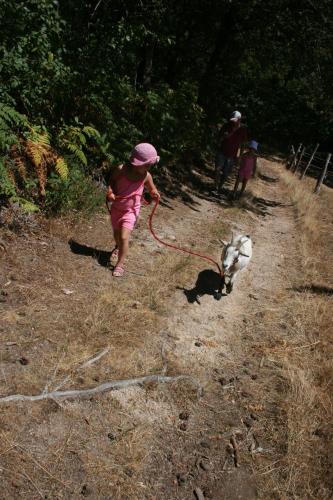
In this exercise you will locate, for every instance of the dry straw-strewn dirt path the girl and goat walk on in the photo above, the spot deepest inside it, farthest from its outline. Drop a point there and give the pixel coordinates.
(157, 441)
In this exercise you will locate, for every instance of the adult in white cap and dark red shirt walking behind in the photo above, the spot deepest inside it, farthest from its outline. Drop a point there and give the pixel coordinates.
(233, 135)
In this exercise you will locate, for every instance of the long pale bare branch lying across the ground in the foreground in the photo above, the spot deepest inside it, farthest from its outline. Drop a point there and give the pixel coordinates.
(107, 386)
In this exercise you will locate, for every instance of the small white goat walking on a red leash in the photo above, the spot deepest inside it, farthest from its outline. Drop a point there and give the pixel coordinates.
(235, 256)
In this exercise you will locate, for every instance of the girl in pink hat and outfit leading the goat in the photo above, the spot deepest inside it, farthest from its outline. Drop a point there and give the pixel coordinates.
(126, 187)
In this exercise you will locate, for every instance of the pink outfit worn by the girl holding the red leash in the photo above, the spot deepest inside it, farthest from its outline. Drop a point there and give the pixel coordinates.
(125, 209)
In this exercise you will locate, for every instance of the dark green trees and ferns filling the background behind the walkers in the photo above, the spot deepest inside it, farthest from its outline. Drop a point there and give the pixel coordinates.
(138, 71)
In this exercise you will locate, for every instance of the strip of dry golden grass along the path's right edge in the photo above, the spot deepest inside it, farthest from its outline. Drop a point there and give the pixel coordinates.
(306, 358)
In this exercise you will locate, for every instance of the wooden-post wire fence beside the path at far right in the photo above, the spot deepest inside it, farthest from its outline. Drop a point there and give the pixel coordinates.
(305, 160)
